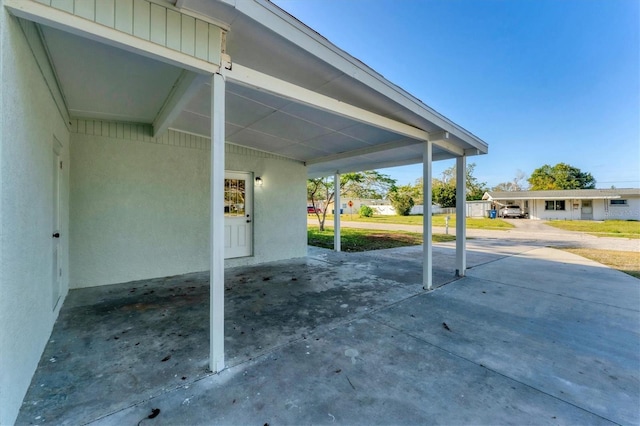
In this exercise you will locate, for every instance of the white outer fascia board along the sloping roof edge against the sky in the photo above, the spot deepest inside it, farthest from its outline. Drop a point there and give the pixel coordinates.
(304, 37)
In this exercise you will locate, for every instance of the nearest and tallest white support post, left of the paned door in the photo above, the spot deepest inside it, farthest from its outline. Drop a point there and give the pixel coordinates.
(216, 278)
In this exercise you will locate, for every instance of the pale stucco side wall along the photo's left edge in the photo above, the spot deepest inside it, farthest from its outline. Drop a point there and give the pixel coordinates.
(29, 122)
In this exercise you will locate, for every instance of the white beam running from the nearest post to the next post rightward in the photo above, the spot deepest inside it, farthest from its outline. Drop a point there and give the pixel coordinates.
(252, 78)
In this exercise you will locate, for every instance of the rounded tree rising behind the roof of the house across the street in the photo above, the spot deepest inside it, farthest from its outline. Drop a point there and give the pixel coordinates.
(560, 176)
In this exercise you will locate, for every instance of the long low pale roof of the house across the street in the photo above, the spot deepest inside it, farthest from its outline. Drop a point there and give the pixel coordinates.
(583, 194)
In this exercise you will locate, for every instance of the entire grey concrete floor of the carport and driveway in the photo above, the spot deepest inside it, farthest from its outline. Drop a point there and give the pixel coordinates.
(533, 336)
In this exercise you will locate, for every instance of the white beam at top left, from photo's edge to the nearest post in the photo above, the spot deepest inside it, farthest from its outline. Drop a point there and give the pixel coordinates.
(54, 18)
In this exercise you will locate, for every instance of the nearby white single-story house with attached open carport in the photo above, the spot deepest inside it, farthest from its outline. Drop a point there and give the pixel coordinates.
(146, 138)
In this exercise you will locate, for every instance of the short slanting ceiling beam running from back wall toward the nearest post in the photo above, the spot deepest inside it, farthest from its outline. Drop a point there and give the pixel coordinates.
(185, 88)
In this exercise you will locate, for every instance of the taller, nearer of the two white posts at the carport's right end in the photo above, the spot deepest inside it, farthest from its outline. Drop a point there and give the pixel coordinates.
(427, 233)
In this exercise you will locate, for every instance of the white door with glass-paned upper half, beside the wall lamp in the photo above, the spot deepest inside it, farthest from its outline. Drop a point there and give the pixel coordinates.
(238, 219)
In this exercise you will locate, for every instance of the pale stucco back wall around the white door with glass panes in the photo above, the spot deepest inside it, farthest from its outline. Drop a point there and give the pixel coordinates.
(140, 205)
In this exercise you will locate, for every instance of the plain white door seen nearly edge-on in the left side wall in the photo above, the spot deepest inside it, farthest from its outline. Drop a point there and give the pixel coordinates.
(56, 271)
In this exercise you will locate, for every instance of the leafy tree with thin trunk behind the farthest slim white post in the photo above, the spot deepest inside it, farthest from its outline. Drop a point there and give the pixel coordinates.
(369, 184)
